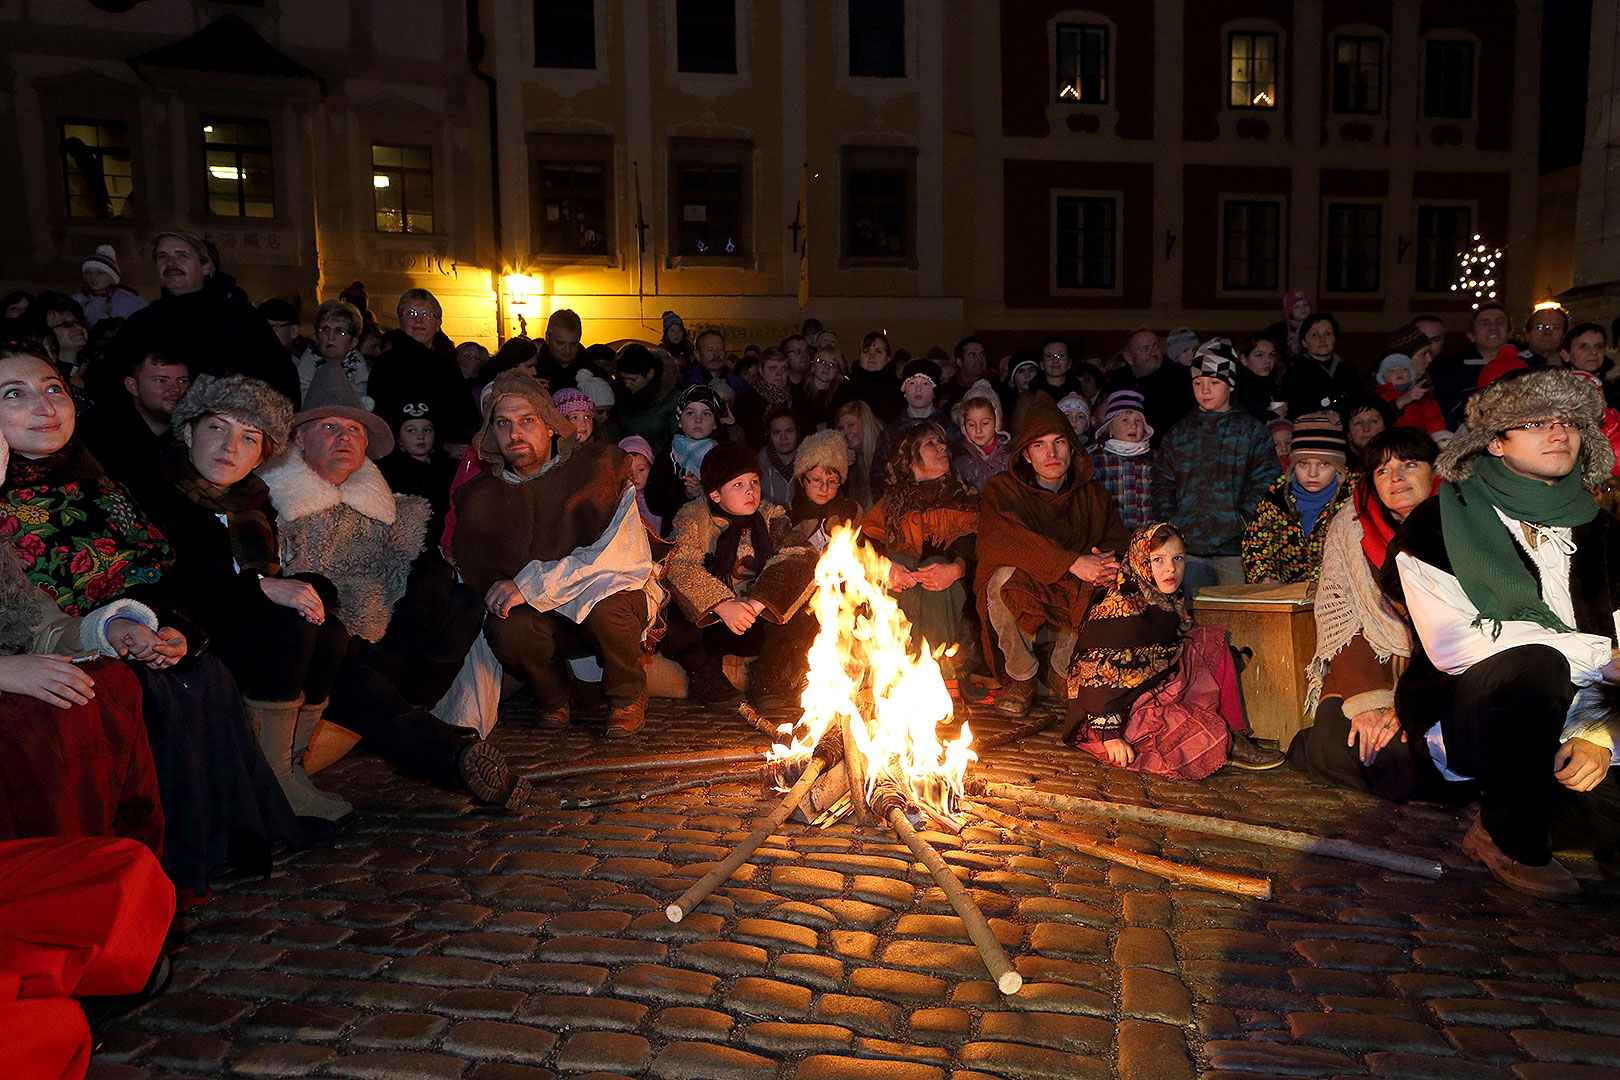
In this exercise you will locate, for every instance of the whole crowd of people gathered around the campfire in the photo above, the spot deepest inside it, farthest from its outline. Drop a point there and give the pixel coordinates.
(232, 553)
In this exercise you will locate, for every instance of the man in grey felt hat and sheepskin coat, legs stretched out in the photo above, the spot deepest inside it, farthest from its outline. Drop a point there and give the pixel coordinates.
(412, 621)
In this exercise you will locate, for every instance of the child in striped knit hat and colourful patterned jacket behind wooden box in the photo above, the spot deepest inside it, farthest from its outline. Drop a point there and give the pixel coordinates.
(1284, 542)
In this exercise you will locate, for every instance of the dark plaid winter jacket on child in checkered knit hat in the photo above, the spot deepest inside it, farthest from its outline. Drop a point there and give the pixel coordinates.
(1209, 475)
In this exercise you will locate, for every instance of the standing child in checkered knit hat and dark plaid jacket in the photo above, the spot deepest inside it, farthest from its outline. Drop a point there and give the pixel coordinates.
(1211, 472)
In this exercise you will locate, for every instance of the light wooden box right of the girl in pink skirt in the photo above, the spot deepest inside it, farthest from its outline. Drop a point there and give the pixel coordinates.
(1276, 626)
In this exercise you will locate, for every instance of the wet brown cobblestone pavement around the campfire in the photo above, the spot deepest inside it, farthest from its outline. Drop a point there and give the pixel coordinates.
(432, 940)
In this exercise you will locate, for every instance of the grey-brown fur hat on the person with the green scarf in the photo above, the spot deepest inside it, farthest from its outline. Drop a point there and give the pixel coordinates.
(1520, 398)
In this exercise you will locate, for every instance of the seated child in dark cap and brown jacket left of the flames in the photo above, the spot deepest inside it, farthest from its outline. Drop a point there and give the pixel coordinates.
(741, 577)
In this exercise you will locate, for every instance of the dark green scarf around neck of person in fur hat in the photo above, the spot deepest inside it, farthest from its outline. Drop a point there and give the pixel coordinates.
(1485, 556)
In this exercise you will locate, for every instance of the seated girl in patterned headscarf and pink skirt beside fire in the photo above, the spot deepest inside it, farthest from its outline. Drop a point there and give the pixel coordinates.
(1148, 689)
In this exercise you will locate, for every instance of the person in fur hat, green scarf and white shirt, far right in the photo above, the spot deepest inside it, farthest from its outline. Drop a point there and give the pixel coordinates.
(1512, 579)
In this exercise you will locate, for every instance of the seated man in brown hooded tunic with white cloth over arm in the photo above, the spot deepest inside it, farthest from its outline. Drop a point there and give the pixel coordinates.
(552, 538)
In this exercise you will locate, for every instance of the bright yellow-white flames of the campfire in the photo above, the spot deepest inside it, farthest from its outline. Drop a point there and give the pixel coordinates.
(864, 668)
